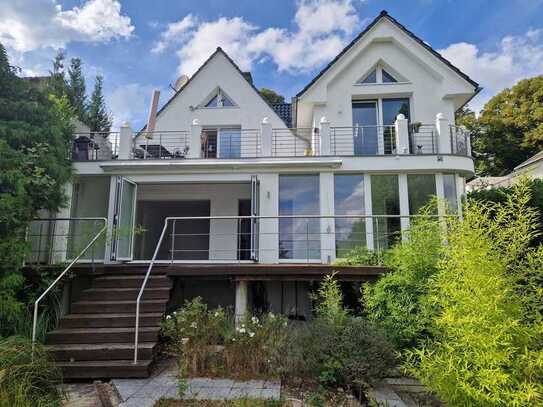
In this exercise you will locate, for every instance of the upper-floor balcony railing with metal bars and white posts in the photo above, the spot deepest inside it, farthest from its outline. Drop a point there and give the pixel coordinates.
(402, 138)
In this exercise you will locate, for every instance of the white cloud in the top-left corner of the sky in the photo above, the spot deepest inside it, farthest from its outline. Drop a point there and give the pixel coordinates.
(28, 25)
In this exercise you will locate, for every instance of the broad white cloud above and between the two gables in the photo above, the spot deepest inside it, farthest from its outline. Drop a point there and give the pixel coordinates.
(321, 29)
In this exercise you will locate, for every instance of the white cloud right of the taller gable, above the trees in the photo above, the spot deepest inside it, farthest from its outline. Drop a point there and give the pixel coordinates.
(515, 58)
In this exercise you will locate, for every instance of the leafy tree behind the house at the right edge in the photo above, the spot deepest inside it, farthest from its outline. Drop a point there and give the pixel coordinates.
(509, 129)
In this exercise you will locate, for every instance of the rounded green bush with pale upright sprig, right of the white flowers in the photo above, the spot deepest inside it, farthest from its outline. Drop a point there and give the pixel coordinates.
(337, 348)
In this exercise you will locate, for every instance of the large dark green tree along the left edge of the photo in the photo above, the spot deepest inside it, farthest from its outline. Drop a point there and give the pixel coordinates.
(35, 136)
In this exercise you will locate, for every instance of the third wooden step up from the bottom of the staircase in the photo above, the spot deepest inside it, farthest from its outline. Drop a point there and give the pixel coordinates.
(101, 335)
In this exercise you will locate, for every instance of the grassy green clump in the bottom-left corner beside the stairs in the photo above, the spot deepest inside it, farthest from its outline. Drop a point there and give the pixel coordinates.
(27, 381)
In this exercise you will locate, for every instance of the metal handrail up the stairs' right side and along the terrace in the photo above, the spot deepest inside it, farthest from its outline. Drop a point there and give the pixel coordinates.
(248, 217)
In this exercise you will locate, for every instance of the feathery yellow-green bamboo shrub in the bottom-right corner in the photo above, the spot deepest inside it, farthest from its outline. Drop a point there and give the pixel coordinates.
(487, 348)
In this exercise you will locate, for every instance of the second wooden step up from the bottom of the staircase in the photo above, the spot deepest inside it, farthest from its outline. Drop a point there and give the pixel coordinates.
(99, 352)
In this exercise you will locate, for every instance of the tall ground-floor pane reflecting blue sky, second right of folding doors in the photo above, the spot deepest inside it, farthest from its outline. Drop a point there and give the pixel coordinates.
(349, 200)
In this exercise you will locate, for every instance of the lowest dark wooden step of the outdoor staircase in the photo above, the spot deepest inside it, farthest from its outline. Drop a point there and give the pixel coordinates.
(105, 369)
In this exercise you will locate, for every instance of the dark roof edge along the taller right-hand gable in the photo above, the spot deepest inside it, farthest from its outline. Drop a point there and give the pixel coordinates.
(382, 15)
